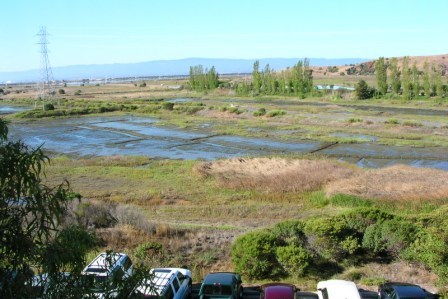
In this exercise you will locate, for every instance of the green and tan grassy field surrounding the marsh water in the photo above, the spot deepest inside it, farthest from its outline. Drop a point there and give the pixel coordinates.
(196, 209)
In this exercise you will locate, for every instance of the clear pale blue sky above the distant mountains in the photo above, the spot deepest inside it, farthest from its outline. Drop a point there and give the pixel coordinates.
(99, 31)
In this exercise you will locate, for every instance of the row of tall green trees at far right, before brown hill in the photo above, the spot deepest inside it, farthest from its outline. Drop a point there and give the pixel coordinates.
(409, 81)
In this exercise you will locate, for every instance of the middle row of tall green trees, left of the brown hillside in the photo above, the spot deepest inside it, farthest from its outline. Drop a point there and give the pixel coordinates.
(297, 80)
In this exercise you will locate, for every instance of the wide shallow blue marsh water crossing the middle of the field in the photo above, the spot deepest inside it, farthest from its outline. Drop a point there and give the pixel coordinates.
(130, 135)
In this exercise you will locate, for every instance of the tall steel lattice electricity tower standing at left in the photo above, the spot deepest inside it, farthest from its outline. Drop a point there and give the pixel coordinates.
(45, 87)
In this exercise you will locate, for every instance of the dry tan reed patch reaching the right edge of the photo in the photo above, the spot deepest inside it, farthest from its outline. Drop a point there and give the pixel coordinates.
(397, 182)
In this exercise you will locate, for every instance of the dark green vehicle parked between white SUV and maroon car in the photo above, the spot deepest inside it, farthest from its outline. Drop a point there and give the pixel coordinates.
(221, 285)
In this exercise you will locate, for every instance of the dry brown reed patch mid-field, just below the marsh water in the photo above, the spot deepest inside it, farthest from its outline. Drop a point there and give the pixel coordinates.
(275, 174)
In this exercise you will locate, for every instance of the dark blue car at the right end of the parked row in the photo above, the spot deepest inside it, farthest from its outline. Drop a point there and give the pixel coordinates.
(400, 290)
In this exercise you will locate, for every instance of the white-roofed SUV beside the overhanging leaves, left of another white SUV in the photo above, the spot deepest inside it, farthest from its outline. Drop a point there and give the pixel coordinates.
(108, 273)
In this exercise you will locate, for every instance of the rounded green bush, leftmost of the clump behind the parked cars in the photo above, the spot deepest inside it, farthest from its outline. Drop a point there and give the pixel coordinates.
(254, 255)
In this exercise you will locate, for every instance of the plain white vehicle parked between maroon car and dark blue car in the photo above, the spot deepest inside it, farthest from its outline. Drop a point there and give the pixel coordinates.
(337, 289)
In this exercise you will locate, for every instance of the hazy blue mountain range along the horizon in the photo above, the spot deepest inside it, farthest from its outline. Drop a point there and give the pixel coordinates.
(167, 68)
